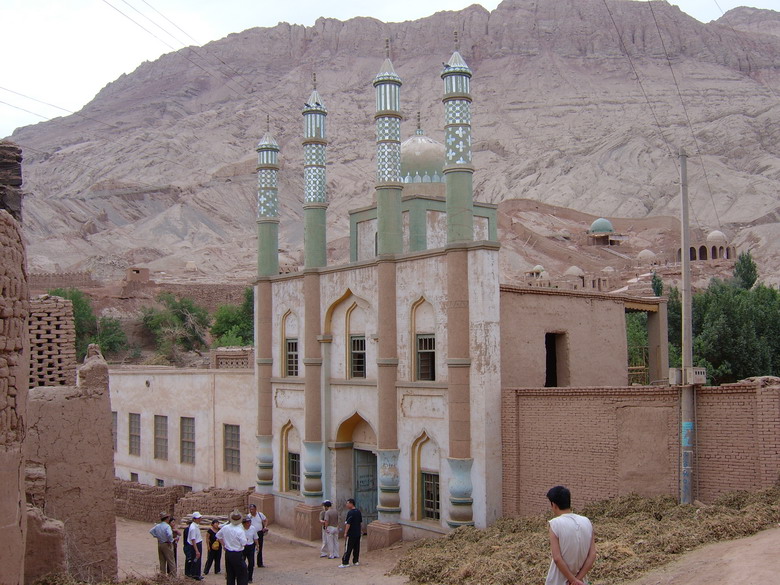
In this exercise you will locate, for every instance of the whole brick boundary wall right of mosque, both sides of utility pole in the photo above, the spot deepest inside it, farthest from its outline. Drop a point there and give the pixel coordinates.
(606, 442)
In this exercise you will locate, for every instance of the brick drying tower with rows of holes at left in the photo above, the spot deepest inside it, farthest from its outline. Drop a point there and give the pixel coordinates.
(52, 334)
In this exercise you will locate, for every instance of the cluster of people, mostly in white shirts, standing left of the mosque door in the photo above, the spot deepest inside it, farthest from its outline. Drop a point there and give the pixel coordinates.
(241, 538)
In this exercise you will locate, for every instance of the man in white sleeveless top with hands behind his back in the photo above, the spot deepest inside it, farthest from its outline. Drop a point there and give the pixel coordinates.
(572, 543)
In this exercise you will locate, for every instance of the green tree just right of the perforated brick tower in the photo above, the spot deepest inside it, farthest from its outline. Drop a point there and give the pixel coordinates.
(106, 332)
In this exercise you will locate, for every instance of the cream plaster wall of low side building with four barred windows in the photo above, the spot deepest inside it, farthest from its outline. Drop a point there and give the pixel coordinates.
(211, 397)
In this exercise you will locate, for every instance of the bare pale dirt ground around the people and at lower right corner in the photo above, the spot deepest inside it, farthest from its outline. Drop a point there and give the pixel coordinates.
(290, 561)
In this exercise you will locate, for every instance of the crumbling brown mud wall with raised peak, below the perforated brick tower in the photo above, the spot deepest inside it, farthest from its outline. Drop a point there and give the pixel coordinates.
(69, 452)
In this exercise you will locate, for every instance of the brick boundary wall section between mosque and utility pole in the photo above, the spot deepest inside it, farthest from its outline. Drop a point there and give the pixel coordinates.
(600, 442)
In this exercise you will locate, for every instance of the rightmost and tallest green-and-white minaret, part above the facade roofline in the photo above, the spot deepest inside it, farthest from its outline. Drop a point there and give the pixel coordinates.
(458, 169)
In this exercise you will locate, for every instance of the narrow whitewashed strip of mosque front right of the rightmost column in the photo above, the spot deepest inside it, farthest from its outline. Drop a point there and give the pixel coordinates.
(485, 348)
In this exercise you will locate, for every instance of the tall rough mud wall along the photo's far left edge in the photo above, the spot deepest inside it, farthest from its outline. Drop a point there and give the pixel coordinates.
(13, 391)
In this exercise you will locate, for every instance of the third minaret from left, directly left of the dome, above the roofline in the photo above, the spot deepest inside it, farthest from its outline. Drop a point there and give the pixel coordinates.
(388, 158)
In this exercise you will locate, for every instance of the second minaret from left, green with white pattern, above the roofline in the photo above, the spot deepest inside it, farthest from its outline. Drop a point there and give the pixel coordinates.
(315, 202)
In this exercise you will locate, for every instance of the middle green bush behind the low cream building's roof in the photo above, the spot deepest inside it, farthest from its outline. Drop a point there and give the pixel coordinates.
(179, 325)
